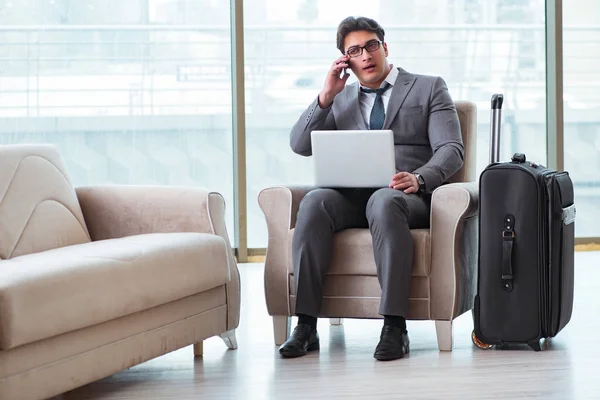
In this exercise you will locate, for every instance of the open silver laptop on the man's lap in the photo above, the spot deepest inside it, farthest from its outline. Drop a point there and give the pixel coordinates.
(353, 158)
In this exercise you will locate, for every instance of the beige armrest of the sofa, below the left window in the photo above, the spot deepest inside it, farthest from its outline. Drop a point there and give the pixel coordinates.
(116, 211)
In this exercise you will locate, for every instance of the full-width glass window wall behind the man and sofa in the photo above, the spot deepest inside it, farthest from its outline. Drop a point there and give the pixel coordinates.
(139, 91)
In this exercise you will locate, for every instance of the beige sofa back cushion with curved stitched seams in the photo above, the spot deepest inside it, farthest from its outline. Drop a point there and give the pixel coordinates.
(38, 206)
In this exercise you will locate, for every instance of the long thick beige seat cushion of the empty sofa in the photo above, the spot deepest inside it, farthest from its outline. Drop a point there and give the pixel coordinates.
(62, 290)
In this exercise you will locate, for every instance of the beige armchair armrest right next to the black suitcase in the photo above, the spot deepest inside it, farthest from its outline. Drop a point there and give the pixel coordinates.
(454, 246)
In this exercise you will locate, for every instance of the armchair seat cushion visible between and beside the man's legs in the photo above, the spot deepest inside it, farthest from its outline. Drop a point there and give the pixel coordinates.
(353, 253)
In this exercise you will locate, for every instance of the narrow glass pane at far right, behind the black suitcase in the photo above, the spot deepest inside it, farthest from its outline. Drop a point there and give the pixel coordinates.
(581, 45)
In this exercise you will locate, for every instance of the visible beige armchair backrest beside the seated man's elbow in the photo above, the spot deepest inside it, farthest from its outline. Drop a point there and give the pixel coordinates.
(467, 116)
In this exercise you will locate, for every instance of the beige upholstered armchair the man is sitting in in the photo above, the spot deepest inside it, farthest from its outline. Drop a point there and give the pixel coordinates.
(444, 269)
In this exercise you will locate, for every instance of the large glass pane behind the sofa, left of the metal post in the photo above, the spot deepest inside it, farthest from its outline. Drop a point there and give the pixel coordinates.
(125, 102)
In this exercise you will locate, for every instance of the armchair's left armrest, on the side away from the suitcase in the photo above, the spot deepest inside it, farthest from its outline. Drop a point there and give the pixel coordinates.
(280, 206)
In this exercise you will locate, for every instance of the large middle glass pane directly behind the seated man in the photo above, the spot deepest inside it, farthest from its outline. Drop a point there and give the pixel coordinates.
(480, 47)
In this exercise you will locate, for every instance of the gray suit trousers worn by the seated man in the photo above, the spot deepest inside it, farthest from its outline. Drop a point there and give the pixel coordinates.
(389, 214)
